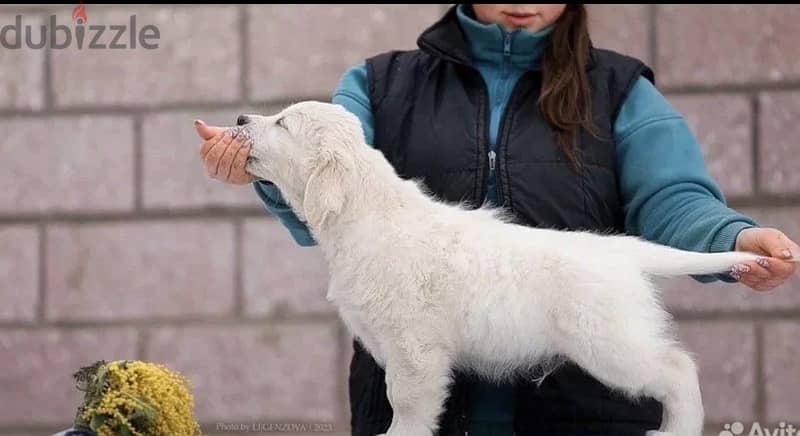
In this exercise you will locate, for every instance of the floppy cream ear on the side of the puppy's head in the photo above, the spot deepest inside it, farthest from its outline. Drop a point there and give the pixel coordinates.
(325, 189)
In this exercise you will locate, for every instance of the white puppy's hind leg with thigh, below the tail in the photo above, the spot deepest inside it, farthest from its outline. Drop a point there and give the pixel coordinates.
(629, 352)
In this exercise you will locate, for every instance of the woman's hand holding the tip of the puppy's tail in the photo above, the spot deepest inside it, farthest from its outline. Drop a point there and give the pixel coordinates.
(771, 272)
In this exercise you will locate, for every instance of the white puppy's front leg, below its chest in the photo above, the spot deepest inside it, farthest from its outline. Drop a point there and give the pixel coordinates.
(417, 378)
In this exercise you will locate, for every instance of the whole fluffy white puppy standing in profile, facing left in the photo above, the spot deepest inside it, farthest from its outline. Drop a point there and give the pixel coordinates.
(428, 287)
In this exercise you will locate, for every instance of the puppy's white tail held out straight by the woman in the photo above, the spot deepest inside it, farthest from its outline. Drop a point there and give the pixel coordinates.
(661, 260)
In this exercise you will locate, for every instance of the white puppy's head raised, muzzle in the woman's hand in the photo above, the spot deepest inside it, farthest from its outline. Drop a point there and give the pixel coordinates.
(307, 150)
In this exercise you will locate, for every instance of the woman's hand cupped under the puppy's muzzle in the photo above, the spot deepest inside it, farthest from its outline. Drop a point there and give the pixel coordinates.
(224, 155)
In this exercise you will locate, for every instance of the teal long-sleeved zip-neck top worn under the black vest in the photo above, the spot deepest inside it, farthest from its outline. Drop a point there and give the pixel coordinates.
(668, 195)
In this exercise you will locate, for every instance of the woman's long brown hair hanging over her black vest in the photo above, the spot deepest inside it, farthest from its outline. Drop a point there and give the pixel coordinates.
(565, 100)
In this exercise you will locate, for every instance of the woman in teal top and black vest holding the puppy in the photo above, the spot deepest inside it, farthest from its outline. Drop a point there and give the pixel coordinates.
(512, 104)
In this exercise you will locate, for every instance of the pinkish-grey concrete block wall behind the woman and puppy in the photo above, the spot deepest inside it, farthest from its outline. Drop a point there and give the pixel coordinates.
(113, 244)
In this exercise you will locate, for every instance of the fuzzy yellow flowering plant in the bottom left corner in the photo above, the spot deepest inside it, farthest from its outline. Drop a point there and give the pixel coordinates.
(134, 398)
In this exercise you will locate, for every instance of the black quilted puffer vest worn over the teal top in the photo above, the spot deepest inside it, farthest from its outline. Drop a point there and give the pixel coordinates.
(430, 109)
